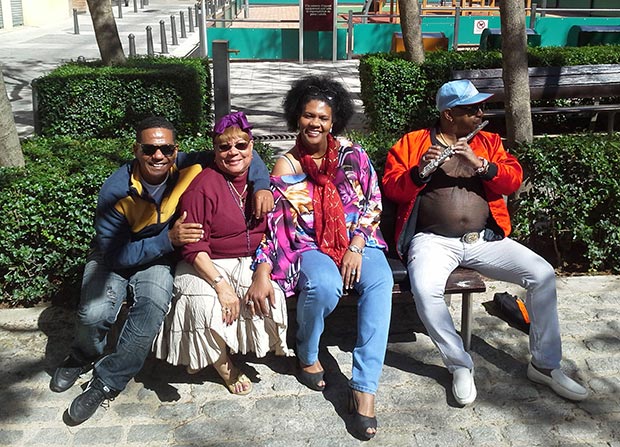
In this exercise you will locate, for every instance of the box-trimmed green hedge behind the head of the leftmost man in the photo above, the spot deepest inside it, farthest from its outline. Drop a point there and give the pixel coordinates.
(88, 100)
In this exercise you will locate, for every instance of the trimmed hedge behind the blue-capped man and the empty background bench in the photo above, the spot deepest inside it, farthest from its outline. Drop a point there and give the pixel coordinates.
(399, 95)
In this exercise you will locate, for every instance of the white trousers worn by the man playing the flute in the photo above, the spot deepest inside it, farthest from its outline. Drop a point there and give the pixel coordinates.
(432, 258)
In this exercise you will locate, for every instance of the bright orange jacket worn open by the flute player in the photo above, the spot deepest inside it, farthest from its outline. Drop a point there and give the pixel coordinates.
(400, 188)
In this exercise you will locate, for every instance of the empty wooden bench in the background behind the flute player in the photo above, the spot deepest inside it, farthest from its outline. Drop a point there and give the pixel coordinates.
(550, 83)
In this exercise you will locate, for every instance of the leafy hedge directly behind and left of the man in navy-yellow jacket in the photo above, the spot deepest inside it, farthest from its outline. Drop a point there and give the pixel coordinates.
(47, 211)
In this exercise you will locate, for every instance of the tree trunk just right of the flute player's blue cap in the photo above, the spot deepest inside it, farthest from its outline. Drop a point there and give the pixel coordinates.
(516, 79)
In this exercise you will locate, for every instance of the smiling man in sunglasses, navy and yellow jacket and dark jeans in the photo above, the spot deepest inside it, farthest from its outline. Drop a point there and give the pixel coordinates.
(136, 236)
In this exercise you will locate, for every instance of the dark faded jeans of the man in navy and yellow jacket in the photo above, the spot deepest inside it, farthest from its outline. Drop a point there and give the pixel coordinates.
(103, 294)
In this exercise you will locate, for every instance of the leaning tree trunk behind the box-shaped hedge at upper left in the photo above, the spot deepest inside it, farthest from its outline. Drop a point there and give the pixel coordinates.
(106, 32)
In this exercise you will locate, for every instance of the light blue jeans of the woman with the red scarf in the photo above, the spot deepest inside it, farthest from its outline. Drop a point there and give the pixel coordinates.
(320, 288)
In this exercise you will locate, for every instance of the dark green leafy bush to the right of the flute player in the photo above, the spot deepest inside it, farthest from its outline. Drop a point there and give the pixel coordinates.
(569, 209)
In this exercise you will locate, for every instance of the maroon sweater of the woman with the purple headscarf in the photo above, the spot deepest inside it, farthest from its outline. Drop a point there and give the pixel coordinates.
(229, 232)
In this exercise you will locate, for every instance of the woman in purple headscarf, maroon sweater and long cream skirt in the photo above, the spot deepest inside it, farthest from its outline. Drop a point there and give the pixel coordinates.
(217, 307)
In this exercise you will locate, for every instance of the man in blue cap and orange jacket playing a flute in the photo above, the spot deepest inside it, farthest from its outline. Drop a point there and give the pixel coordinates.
(452, 213)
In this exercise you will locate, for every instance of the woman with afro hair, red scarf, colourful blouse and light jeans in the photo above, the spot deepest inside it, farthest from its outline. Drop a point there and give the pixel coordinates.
(323, 237)
